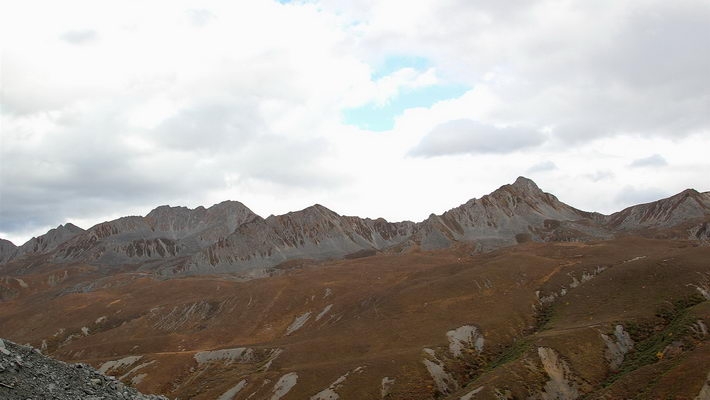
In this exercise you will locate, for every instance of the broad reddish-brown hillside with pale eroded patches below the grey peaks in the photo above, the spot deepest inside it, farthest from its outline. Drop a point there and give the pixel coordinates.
(531, 321)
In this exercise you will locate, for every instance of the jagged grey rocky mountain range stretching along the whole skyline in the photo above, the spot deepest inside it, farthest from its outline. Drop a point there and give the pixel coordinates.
(229, 237)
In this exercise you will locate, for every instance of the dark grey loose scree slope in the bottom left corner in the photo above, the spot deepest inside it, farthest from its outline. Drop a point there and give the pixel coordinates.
(27, 374)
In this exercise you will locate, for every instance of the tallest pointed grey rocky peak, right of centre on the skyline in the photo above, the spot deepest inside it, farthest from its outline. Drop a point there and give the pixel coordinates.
(511, 214)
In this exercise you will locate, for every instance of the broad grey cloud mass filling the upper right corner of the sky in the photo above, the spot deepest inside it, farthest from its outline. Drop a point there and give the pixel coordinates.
(638, 68)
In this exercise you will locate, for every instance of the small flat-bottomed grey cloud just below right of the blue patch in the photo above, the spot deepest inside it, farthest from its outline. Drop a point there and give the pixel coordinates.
(468, 136)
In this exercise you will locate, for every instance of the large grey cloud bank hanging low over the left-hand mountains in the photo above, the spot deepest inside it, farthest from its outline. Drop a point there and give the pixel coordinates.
(88, 167)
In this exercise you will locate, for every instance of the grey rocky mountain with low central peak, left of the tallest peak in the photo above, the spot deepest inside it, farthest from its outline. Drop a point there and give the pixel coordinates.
(314, 233)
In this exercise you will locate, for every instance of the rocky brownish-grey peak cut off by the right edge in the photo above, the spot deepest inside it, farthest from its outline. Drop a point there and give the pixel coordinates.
(686, 205)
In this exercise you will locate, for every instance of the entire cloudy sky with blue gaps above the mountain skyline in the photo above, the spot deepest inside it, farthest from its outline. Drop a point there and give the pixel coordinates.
(370, 107)
